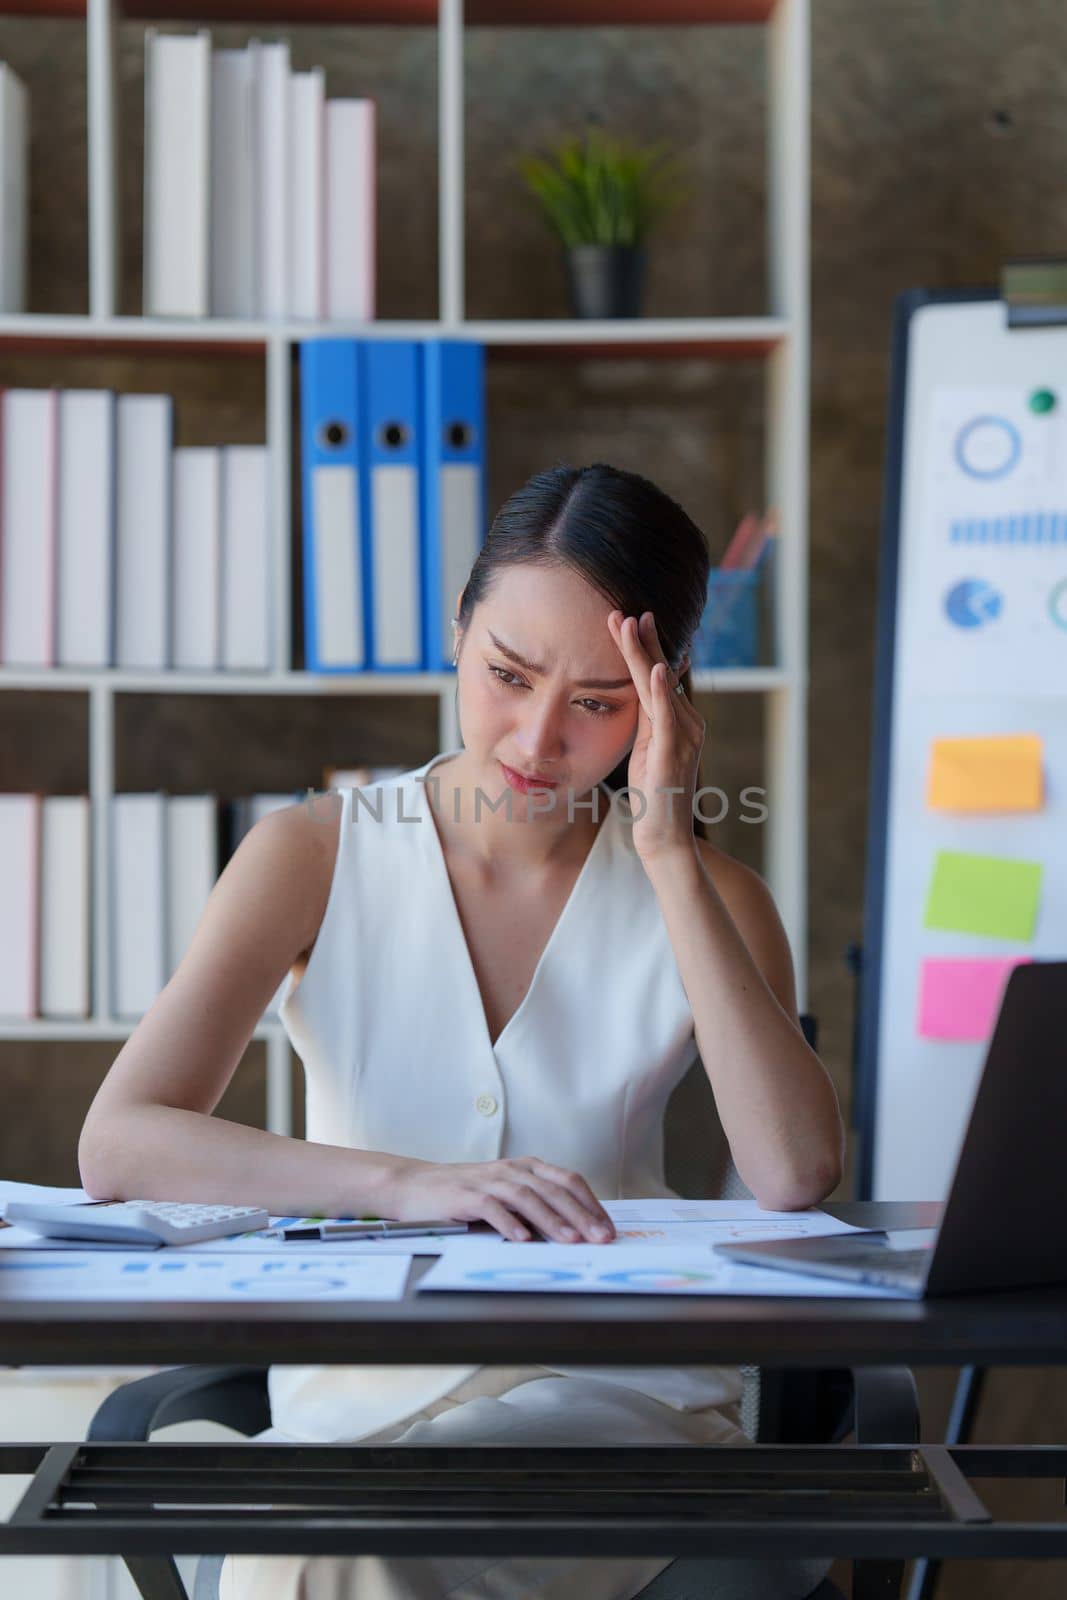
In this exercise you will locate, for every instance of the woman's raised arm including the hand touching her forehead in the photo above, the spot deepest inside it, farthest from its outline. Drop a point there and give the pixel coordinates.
(775, 1098)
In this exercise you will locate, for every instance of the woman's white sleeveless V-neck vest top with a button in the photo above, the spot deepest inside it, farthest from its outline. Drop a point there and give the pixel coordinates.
(390, 1023)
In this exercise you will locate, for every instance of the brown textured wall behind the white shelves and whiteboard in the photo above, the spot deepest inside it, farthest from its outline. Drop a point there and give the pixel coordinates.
(938, 138)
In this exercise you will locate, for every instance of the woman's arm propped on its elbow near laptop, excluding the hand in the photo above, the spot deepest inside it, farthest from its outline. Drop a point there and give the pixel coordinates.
(775, 1098)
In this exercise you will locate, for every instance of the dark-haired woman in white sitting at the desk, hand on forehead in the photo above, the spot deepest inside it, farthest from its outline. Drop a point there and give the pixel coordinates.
(498, 975)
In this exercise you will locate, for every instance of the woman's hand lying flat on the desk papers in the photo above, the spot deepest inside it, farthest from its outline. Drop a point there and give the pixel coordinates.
(521, 1198)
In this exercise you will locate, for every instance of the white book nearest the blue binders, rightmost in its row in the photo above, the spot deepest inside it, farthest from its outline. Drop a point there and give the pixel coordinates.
(246, 644)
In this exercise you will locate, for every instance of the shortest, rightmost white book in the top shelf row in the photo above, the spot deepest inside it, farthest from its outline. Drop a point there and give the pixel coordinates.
(351, 209)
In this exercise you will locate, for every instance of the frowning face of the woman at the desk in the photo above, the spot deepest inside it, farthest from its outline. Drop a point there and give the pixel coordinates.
(569, 710)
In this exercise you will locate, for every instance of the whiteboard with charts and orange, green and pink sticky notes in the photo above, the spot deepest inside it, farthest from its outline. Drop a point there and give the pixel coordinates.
(972, 646)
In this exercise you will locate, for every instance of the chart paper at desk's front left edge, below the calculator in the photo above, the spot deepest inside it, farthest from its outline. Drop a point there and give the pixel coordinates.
(180, 1276)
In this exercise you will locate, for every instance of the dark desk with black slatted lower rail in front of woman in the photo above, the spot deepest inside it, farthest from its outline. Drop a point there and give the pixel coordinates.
(887, 1500)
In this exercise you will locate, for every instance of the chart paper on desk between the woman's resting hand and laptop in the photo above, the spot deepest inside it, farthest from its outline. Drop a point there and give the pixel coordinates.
(621, 1270)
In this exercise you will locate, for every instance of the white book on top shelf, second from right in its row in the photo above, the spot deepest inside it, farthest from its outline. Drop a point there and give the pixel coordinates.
(308, 116)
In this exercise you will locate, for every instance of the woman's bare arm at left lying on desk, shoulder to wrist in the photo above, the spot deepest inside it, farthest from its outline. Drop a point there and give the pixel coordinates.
(150, 1132)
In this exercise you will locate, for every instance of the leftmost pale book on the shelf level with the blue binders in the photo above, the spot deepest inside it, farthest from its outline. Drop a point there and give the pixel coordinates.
(28, 556)
